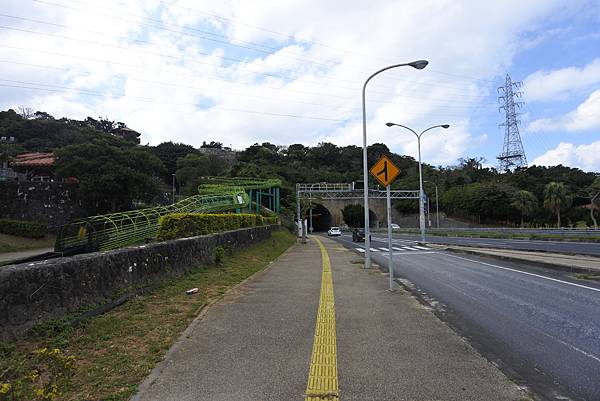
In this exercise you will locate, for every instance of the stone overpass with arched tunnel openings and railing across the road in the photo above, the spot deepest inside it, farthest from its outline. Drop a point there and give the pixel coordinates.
(331, 198)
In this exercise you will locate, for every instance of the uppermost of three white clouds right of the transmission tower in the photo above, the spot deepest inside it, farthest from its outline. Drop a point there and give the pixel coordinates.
(547, 85)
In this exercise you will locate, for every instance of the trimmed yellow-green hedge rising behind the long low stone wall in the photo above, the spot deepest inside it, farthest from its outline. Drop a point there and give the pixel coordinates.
(183, 225)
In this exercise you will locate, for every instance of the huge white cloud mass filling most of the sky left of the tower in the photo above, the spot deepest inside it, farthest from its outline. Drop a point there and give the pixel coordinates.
(190, 87)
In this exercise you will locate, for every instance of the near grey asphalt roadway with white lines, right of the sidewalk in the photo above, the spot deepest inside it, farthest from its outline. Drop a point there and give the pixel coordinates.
(541, 326)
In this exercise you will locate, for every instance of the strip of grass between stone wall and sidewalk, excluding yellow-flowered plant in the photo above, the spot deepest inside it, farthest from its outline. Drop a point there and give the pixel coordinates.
(116, 351)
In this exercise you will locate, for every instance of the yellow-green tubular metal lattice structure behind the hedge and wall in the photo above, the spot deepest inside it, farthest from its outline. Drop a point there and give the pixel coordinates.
(116, 230)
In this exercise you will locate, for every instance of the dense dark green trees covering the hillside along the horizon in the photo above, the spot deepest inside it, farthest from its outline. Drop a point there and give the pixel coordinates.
(116, 173)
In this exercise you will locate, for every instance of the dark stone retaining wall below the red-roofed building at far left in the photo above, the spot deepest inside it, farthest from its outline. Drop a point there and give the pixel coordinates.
(50, 203)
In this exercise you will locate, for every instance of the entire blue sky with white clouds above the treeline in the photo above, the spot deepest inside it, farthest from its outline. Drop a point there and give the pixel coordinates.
(292, 71)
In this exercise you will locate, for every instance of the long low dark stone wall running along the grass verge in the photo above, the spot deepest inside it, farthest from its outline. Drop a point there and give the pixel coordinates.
(31, 293)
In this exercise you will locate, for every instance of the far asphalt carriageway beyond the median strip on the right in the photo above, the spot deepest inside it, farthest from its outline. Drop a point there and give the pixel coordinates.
(572, 247)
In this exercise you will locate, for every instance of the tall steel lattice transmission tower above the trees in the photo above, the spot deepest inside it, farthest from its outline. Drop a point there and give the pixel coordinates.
(512, 155)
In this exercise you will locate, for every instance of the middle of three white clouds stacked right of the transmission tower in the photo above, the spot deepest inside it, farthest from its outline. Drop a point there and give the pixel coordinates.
(585, 117)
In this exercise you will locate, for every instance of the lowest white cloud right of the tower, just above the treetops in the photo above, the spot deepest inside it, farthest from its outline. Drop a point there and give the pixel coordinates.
(586, 157)
